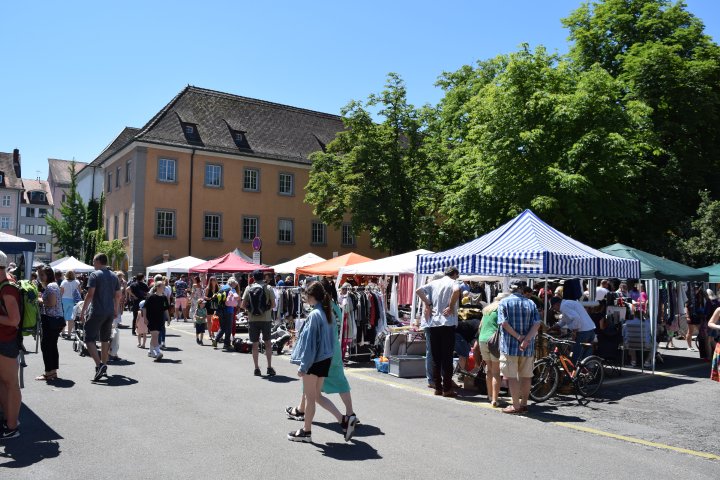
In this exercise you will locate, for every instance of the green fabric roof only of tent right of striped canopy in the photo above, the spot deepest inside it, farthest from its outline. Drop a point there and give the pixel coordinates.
(657, 268)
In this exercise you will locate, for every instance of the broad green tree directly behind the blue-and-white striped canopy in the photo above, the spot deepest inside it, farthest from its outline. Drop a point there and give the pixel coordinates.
(527, 130)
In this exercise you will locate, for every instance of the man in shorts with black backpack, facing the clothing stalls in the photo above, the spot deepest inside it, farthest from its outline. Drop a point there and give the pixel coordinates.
(259, 300)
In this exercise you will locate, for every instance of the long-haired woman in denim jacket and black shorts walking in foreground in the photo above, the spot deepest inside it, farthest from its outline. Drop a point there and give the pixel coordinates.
(313, 352)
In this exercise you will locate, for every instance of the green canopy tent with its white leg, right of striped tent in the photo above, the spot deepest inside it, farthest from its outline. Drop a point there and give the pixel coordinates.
(653, 269)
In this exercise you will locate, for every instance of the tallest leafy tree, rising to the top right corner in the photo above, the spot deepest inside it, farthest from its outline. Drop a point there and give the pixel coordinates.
(659, 53)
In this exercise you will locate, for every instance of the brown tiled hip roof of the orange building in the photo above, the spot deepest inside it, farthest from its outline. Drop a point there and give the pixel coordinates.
(272, 130)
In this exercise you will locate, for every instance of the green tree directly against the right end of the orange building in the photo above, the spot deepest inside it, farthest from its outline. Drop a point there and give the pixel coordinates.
(374, 171)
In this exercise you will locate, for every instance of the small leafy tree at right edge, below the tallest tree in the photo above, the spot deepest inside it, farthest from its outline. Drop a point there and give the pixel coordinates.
(702, 247)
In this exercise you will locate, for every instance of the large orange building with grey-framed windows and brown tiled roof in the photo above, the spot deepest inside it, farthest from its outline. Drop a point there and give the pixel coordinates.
(209, 173)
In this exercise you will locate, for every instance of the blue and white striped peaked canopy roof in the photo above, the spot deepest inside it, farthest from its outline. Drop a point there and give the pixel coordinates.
(528, 246)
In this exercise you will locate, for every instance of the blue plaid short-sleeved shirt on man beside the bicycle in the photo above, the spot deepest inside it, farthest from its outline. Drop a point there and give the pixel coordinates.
(521, 314)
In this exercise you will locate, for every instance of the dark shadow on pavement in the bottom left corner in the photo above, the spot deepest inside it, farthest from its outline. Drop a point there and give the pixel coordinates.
(37, 442)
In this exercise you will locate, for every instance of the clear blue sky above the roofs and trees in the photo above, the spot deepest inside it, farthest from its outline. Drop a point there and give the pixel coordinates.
(75, 73)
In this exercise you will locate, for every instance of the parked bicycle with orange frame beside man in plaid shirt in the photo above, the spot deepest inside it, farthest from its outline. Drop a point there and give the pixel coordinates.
(586, 378)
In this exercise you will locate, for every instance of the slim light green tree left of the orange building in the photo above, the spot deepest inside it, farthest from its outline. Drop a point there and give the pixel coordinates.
(67, 231)
